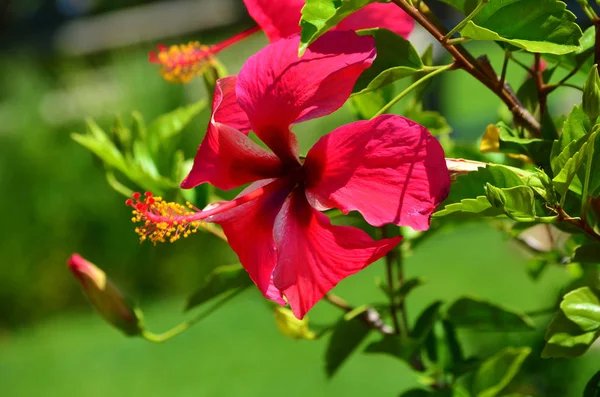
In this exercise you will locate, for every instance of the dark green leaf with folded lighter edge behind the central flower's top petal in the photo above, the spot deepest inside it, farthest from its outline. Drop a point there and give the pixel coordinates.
(396, 59)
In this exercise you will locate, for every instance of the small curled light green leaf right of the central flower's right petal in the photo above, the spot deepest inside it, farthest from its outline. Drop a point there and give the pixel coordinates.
(517, 202)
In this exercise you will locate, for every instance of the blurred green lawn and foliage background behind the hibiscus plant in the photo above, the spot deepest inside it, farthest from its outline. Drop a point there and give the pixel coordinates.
(62, 61)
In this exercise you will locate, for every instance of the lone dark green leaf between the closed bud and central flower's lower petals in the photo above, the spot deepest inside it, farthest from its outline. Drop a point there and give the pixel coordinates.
(223, 280)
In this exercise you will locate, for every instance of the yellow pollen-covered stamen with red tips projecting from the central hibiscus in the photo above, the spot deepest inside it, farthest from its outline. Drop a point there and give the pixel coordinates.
(161, 221)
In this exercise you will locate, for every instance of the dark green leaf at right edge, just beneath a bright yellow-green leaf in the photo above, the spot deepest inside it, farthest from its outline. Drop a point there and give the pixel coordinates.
(565, 339)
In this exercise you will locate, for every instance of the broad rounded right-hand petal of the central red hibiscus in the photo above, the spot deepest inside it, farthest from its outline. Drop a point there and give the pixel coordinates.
(390, 169)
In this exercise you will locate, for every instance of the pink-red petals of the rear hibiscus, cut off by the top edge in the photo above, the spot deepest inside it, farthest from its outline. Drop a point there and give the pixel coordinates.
(281, 19)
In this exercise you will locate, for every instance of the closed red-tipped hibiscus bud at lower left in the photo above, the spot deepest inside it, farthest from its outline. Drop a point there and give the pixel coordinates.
(105, 297)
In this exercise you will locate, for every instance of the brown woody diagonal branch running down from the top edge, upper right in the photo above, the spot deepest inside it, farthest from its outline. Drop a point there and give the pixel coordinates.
(465, 61)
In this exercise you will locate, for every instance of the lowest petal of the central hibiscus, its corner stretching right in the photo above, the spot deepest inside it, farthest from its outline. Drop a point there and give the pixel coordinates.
(315, 255)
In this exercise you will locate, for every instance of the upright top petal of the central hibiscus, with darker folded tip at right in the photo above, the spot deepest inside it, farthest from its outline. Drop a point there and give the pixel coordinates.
(276, 88)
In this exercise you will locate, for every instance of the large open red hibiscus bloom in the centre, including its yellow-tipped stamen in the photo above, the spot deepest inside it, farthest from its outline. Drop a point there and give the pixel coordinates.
(390, 169)
